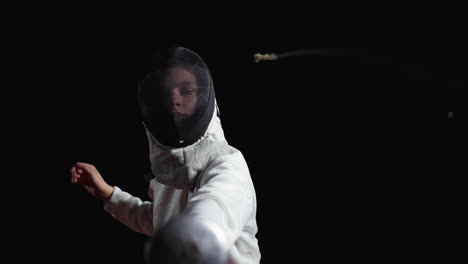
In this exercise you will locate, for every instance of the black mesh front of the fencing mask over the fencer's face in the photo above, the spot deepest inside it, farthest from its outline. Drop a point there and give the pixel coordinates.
(177, 99)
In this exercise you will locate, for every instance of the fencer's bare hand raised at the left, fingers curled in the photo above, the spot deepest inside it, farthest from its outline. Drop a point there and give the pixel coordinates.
(89, 177)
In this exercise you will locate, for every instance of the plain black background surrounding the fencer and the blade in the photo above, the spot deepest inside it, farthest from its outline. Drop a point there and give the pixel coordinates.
(350, 160)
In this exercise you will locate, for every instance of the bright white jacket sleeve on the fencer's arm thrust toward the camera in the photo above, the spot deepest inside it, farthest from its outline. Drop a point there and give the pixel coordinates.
(226, 197)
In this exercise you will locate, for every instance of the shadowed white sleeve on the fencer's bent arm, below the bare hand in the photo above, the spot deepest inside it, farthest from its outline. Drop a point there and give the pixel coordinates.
(131, 211)
